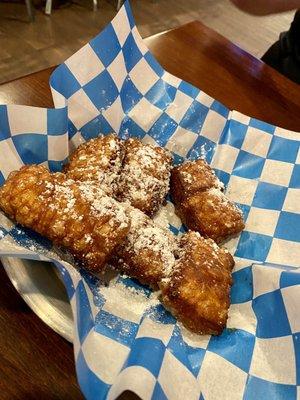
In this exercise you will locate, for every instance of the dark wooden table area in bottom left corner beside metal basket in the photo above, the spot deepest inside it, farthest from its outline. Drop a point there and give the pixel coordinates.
(35, 362)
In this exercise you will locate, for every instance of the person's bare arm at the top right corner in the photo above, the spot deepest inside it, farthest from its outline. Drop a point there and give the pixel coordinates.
(265, 7)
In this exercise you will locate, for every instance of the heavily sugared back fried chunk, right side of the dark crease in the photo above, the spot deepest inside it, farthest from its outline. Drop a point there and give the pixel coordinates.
(145, 176)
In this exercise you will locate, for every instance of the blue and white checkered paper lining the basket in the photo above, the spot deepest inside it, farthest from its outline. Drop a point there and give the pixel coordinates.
(114, 84)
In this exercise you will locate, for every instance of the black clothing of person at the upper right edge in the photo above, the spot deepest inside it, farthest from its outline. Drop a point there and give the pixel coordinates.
(284, 55)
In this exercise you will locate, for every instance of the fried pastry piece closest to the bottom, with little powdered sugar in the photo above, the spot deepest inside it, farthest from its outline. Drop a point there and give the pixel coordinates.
(197, 292)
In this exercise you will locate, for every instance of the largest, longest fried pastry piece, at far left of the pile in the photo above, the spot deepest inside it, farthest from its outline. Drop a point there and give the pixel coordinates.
(86, 223)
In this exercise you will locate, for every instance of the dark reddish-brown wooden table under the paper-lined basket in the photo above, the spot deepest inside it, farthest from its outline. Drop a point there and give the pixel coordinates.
(35, 362)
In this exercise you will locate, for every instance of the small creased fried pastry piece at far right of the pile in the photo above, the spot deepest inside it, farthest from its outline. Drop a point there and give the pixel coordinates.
(201, 204)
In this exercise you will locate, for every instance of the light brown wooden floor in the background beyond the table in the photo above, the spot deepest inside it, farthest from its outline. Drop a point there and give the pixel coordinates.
(31, 40)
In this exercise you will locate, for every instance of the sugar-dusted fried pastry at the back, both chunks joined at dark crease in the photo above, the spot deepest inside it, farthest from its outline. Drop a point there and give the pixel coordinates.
(128, 170)
